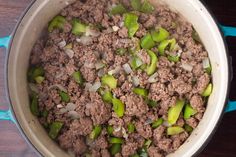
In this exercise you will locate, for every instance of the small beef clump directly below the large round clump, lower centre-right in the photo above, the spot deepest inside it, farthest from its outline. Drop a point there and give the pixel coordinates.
(143, 130)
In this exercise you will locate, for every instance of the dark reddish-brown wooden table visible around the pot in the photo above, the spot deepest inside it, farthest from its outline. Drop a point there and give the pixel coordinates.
(223, 143)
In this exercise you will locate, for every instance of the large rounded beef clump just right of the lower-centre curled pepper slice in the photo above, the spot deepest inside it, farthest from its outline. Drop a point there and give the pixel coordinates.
(135, 105)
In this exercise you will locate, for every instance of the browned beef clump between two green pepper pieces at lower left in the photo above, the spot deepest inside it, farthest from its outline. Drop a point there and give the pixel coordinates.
(83, 126)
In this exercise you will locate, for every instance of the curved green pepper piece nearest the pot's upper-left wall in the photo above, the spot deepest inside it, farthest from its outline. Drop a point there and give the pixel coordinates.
(57, 22)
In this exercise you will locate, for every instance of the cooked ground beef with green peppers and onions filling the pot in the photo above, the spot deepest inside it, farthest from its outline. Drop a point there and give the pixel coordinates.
(119, 78)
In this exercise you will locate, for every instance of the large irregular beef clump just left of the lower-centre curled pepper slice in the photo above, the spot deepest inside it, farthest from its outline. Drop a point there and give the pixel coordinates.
(99, 112)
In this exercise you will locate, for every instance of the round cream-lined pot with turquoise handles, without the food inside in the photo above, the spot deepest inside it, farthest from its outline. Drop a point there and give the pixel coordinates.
(35, 20)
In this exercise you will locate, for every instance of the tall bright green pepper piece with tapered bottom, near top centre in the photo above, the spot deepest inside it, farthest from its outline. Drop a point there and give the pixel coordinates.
(131, 23)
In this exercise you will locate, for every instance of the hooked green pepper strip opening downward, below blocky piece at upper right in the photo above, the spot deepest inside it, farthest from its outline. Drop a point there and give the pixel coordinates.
(165, 44)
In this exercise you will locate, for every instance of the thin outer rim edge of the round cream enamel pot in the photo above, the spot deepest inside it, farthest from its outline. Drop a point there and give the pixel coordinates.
(197, 152)
